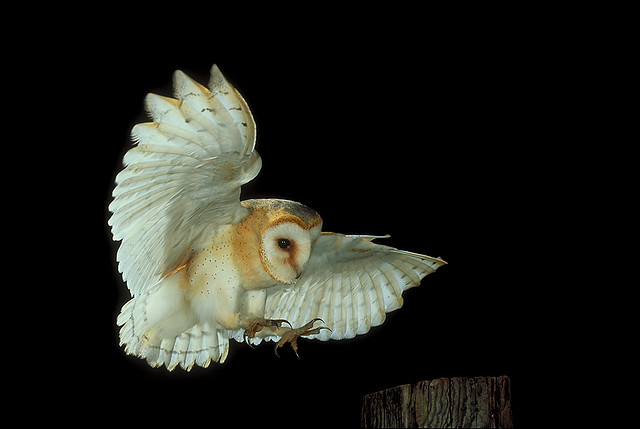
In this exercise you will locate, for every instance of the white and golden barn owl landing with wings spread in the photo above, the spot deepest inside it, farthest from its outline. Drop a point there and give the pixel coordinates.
(204, 267)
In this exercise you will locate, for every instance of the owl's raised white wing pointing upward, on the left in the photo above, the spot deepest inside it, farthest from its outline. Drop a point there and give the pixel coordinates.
(183, 177)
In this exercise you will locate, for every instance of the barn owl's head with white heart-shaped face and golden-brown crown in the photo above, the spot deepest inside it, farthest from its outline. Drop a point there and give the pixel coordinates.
(287, 234)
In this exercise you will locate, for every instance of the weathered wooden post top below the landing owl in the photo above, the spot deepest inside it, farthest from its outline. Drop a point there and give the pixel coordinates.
(474, 402)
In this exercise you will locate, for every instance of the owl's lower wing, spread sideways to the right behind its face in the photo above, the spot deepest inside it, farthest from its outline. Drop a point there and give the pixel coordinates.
(350, 283)
